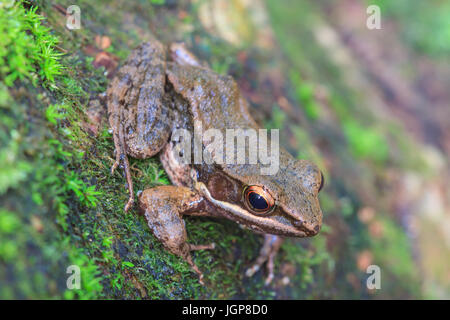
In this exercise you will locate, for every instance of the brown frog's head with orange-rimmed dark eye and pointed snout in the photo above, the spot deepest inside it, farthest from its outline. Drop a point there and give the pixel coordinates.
(285, 203)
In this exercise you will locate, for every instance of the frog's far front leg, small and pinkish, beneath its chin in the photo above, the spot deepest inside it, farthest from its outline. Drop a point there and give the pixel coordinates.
(267, 253)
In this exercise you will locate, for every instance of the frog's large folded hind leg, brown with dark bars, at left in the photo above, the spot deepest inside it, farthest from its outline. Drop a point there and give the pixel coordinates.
(137, 114)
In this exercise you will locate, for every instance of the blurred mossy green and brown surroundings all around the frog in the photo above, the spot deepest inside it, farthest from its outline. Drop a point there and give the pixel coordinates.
(370, 106)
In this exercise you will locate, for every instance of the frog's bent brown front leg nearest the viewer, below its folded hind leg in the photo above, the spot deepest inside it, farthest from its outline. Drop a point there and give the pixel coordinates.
(163, 208)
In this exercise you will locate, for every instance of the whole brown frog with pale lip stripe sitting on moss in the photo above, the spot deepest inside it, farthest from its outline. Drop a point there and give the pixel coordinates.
(163, 88)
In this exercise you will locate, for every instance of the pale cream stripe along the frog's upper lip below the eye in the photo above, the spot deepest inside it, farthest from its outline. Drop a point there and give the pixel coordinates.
(257, 223)
